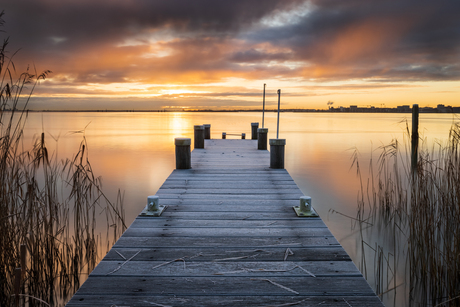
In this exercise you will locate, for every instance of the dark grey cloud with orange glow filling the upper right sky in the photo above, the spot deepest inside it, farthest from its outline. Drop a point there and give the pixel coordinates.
(365, 39)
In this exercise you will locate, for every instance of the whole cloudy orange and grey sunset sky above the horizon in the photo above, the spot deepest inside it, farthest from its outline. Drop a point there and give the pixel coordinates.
(152, 54)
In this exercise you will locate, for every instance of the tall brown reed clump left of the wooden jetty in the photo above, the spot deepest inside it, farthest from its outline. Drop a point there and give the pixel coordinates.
(48, 206)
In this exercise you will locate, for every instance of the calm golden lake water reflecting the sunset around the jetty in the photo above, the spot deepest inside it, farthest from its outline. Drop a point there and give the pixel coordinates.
(134, 152)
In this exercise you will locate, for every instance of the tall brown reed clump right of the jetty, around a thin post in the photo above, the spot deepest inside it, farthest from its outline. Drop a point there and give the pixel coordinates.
(416, 215)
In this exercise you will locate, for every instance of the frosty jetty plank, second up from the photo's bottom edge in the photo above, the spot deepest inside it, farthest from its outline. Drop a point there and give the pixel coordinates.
(224, 285)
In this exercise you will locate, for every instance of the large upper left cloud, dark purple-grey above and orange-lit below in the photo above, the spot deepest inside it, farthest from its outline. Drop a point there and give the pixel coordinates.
(83, 38)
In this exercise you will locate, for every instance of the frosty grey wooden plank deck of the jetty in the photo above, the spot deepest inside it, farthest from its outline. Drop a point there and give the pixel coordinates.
(229, 237)
